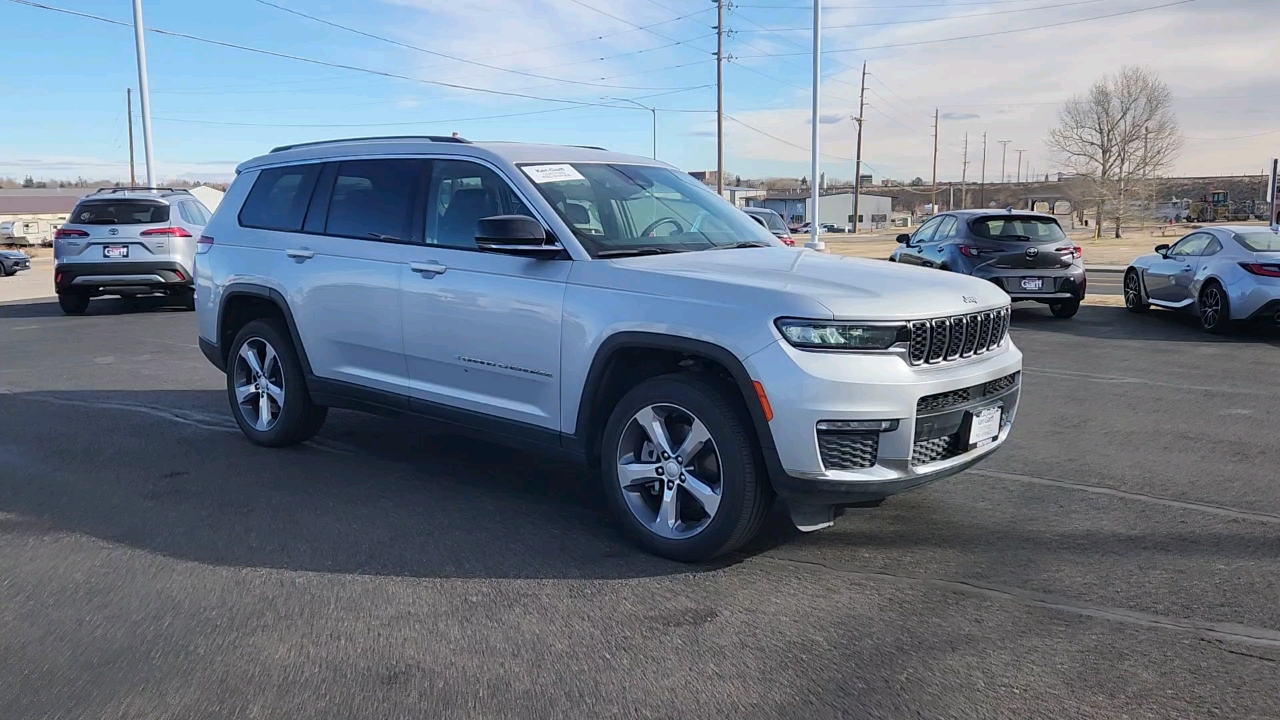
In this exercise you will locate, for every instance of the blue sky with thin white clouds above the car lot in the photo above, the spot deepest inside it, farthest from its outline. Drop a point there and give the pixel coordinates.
(214, 107)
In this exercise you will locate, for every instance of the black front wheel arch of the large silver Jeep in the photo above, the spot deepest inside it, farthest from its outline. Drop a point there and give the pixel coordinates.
(614, 368)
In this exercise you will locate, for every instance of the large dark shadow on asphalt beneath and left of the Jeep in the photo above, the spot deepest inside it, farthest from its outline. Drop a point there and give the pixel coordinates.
(164, 473)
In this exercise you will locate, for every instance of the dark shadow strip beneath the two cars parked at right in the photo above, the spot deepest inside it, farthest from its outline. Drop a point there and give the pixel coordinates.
(1118, 323)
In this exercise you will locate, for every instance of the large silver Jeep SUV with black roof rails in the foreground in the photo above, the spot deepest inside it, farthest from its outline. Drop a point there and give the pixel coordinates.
(605, 308)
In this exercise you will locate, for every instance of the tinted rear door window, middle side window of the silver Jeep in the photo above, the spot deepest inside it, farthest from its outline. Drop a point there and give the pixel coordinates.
(374, 200)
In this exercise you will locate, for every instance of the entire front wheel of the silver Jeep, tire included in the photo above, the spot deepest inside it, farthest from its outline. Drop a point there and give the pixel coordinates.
(729, 467)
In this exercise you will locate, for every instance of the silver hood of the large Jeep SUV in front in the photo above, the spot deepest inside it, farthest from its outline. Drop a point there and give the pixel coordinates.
(851, 288)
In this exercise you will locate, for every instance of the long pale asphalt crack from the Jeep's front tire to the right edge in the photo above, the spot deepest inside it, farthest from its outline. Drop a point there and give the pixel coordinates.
(1244, 635)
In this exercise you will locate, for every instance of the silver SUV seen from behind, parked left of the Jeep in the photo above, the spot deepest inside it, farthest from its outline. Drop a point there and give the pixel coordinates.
(129, 241)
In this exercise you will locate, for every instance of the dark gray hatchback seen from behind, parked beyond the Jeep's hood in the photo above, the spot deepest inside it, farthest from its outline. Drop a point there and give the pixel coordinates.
(1026, 254)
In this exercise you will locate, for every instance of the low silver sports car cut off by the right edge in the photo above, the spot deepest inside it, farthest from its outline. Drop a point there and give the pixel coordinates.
(1222, 274)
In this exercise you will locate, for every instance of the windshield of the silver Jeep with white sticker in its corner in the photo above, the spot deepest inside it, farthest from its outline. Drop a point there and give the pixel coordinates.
(616, 209)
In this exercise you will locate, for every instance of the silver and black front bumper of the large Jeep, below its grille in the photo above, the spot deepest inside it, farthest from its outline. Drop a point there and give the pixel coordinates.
(929, 403)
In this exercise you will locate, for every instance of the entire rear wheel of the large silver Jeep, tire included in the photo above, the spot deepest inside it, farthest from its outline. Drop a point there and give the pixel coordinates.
(291, 417)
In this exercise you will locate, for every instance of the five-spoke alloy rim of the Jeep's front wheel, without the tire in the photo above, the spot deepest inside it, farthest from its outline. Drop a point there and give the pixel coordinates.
(670, 471)
